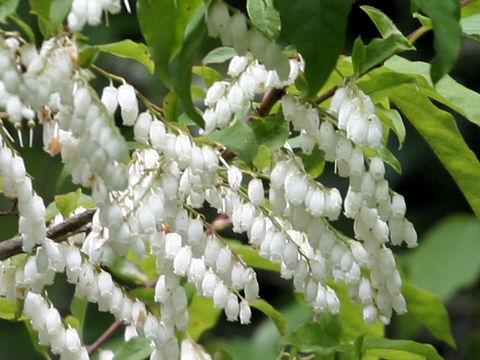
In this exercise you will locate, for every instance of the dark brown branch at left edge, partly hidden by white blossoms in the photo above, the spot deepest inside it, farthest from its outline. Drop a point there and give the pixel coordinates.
(58, 233)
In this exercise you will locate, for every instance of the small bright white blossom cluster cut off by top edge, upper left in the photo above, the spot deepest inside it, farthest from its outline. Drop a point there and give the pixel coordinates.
(90, 12)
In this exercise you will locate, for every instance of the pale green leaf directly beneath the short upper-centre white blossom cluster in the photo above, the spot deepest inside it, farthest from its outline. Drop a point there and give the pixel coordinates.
(238, 138)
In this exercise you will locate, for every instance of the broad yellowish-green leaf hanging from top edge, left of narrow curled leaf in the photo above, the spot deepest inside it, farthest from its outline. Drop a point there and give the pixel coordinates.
(163, 24)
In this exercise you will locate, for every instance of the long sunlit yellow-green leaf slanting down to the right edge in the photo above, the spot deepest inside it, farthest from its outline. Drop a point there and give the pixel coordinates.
(441, 133)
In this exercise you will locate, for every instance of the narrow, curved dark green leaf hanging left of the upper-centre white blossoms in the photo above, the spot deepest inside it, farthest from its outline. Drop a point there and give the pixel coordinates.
(181, 66)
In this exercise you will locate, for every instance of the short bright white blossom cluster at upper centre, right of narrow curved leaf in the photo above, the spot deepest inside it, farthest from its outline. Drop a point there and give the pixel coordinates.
(249, 77)
